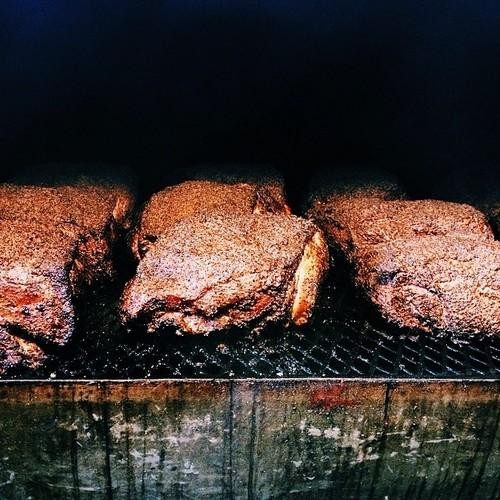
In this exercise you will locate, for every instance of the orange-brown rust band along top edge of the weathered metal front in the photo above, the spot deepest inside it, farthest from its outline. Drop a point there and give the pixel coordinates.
(324, 395)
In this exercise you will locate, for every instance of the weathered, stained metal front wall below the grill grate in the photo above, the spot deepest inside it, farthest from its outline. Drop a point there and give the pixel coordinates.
(250, 439)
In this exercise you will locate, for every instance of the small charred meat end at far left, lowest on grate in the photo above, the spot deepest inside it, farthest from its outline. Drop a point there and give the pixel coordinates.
(16, 352)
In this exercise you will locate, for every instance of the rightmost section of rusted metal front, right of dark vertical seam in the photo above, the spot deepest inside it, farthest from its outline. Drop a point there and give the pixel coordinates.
(444, 440)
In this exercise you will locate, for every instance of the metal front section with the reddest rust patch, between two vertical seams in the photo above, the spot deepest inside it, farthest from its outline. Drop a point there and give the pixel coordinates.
(307, 433)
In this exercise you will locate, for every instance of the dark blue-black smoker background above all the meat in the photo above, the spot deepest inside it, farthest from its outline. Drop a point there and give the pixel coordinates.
(411, 85)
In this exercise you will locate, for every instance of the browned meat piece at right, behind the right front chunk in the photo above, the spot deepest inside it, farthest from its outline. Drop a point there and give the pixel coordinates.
(353, 223)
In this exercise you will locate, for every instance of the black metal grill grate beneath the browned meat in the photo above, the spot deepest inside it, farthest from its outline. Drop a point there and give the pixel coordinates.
(345, 340)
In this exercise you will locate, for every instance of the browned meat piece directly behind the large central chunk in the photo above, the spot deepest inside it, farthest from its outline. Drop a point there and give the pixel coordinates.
(203, 196)
